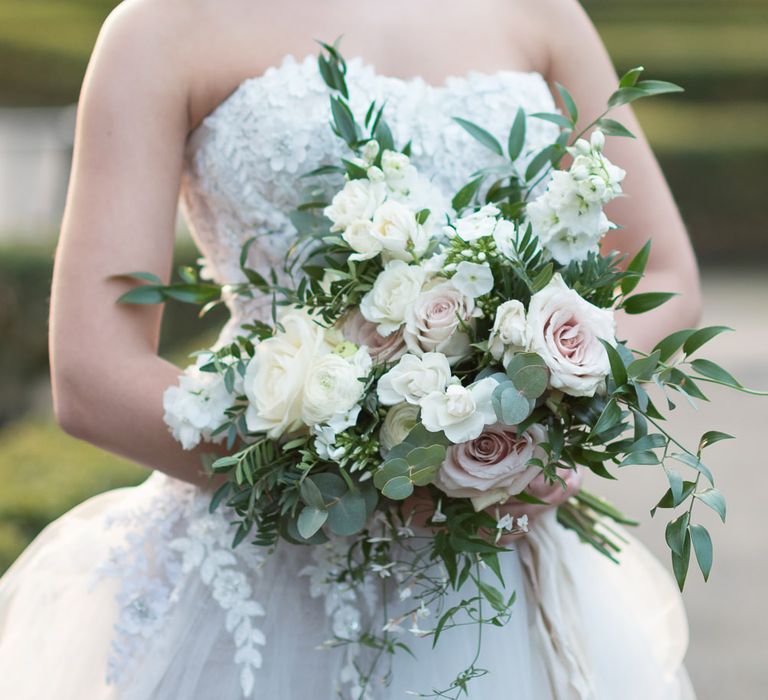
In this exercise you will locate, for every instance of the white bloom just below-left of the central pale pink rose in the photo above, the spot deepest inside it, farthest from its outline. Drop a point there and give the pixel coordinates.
(413, 378)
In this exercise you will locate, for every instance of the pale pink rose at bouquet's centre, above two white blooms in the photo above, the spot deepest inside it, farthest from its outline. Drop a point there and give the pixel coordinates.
(433, 321)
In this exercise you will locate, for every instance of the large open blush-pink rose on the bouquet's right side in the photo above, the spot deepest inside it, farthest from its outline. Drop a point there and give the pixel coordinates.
(565, 330)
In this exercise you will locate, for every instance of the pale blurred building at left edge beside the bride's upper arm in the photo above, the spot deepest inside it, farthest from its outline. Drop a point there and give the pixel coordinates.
(35, 157)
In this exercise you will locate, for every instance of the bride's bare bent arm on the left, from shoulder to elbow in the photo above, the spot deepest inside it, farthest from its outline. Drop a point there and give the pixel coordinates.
(120, 217)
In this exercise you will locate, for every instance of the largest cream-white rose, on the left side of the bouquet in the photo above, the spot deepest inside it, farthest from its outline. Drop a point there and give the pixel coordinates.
(276, 375)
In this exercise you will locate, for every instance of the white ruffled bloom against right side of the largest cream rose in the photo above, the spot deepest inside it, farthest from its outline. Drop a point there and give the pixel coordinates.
(333, 386)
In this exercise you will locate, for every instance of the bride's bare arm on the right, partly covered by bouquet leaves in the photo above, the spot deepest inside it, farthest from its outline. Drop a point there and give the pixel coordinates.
(577, 59)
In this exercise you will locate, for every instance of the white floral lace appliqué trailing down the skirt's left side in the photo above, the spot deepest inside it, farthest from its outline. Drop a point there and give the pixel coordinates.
(167, 543)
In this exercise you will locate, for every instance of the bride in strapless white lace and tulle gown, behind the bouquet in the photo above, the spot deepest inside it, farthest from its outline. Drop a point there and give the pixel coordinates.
(136, 594)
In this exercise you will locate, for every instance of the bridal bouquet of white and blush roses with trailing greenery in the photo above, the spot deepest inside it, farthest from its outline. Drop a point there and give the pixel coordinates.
(439, 370)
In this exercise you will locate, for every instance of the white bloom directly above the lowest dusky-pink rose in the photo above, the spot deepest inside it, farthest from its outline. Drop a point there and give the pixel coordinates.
(460, 412)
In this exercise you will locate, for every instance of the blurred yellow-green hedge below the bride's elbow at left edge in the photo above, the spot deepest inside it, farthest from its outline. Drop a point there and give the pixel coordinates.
(44, 473)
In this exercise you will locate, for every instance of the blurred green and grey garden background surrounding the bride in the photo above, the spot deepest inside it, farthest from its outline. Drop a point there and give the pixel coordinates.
(713, 145)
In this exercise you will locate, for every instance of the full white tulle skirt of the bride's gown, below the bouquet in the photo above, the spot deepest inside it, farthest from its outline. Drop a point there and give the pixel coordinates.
(136, 595)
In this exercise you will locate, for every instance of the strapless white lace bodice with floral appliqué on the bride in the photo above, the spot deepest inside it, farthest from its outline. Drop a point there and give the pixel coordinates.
(243, 163)
